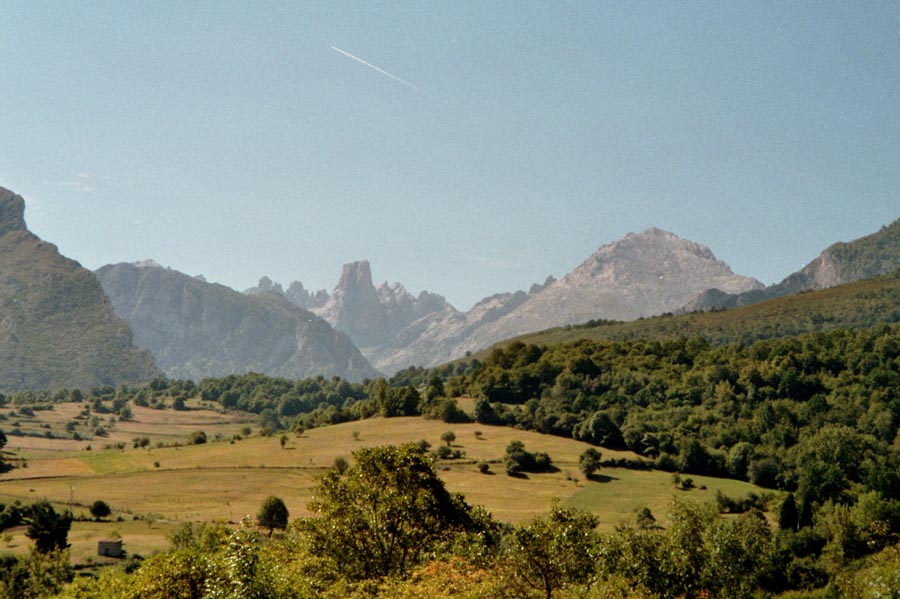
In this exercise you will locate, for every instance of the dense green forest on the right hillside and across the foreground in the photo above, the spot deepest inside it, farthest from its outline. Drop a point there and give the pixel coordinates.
(813, 417)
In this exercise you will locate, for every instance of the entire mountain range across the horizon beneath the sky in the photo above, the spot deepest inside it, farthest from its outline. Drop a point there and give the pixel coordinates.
(61, 325)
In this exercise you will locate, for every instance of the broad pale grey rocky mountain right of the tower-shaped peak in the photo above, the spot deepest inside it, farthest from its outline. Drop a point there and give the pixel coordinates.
(638, 276)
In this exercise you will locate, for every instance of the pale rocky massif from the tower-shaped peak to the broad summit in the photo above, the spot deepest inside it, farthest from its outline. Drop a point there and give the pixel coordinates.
(641, 275)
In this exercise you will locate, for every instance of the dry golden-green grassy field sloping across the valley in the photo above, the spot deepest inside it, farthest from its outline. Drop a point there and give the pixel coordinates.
(152, 490)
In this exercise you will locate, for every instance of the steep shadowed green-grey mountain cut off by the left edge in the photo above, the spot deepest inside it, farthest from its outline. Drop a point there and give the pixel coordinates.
(57, 328)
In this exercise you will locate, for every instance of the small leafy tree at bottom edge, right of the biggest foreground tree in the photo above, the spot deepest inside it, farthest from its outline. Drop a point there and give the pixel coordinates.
(547, 554)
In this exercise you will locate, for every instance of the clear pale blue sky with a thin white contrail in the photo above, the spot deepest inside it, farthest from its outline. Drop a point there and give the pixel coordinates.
(464, 148)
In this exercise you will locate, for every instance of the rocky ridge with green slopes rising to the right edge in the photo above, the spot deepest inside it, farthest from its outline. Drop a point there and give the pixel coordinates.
(840, 263)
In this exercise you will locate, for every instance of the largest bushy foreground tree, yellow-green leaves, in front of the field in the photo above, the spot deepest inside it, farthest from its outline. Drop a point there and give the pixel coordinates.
(384, 514)
